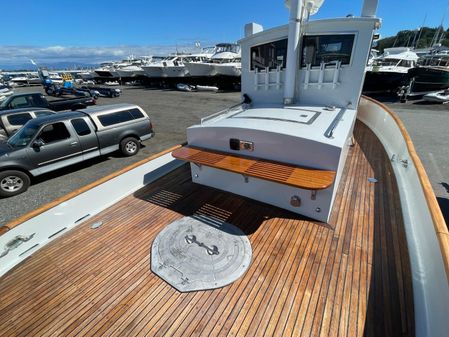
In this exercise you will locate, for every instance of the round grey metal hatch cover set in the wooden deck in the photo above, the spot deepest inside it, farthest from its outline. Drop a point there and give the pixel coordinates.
(194, 254)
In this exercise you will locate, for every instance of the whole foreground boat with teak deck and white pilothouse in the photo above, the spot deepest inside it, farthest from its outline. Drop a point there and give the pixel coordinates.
(303, 211)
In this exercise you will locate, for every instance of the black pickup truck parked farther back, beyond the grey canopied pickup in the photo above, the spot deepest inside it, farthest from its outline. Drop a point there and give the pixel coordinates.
(38, 100)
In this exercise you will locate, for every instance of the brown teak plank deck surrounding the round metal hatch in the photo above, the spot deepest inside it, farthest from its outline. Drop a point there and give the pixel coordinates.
(349, 278)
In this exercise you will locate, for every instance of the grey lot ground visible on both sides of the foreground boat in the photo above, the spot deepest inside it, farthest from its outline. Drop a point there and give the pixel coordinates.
(173, 111)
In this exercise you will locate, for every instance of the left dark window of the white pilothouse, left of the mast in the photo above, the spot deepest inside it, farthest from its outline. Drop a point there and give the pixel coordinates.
(269, 55)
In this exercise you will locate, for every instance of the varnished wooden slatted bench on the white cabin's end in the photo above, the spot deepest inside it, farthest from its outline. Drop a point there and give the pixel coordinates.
(304, 178)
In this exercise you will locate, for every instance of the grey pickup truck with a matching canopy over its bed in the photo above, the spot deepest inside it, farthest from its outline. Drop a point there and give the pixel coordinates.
(54, 141)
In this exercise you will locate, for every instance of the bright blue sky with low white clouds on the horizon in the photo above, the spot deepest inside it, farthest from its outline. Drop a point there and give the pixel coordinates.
(92, 31)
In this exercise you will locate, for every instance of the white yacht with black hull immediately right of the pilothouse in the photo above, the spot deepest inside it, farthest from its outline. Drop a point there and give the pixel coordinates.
(390, 71)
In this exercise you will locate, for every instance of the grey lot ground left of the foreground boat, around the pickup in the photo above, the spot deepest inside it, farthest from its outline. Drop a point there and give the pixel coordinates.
(171, 113)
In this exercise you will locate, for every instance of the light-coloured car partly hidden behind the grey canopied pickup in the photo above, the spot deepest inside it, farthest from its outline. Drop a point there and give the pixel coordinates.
(12, 120)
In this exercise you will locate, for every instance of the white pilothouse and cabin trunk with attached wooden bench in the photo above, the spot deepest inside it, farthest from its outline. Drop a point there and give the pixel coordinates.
(288, 147)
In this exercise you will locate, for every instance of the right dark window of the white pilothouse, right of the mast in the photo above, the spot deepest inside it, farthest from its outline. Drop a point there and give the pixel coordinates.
(328, 49)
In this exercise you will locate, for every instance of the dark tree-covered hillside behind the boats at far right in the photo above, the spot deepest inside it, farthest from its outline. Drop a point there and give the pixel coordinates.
(422, 38)
